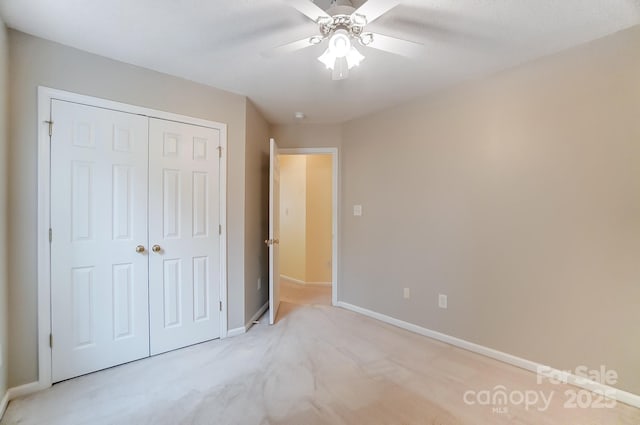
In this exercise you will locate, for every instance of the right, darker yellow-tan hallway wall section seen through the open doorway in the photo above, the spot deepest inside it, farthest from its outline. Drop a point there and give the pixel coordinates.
(319, 227)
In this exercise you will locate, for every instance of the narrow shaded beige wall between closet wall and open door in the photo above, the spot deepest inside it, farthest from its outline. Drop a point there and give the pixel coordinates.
(256, 212)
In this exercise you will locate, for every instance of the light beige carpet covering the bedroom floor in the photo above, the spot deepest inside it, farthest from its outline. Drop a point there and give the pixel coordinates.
(317, 365)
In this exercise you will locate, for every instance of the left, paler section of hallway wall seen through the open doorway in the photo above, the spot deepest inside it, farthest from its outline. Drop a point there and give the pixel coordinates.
(293, 213)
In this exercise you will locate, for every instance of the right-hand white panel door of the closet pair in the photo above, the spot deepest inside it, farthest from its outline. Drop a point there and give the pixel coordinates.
(184, 234)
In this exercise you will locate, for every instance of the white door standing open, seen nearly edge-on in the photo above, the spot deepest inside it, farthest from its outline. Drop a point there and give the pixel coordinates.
(274, 232)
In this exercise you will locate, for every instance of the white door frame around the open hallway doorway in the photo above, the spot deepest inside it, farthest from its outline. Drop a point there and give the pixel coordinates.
(335, 208)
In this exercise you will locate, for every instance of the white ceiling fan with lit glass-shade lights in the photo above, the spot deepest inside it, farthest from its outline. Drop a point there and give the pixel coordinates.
(343, 26)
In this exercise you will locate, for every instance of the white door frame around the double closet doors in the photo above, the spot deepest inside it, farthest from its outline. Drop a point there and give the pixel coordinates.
(45, 96)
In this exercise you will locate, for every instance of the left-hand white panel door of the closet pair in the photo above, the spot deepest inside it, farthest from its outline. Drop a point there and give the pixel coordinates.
(99, 310)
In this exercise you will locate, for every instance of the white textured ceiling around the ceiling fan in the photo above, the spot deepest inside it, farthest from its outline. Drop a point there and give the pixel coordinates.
(218, 42)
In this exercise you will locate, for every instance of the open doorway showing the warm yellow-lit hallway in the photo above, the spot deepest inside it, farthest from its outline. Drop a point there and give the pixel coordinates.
(308, 214)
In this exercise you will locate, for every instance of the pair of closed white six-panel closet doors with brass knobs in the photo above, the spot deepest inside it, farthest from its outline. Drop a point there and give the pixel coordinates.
(135, 251)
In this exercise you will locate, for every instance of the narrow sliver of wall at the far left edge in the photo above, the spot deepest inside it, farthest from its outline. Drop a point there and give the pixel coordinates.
(4, 364)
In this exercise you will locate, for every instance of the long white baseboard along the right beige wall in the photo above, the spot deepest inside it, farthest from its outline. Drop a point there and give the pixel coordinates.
(575, 380)
